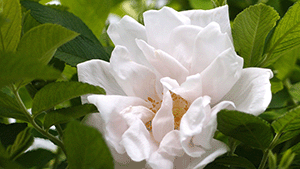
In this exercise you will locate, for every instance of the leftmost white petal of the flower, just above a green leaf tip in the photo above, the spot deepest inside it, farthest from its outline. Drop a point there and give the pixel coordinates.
(96, 72)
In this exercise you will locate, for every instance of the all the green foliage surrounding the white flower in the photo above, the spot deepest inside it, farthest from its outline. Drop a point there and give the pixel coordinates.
(40, 45)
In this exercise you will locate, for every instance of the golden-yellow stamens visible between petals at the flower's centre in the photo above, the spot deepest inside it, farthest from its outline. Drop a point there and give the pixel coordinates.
(180, 106)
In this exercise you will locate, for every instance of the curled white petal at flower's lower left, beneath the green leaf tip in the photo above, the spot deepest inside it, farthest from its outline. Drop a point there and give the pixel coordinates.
(110, 107)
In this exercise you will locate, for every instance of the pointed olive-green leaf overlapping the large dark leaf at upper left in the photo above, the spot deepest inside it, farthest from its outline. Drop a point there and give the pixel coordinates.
(42, 41)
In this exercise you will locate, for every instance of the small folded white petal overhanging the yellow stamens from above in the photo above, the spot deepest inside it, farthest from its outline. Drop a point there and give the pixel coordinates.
(190, 90)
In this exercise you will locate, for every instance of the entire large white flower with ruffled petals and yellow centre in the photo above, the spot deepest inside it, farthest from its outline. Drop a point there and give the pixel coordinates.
(166, 82)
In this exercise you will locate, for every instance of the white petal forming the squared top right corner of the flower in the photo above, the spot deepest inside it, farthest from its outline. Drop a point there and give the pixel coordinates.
(204, 17)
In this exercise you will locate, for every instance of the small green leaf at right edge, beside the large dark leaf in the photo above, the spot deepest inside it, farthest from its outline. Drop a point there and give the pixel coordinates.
(289, 121)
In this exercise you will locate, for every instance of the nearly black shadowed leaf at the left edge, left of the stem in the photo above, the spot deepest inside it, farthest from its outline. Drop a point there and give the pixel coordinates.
(9, 132)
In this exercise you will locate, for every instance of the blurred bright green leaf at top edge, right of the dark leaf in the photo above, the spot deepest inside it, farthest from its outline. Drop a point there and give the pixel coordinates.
(93, 14)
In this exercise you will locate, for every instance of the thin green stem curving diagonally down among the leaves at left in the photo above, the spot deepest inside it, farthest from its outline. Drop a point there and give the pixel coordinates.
(34, 124)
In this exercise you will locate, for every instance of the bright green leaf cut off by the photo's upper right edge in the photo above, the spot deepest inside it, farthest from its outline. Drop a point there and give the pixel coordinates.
(286, 35)
